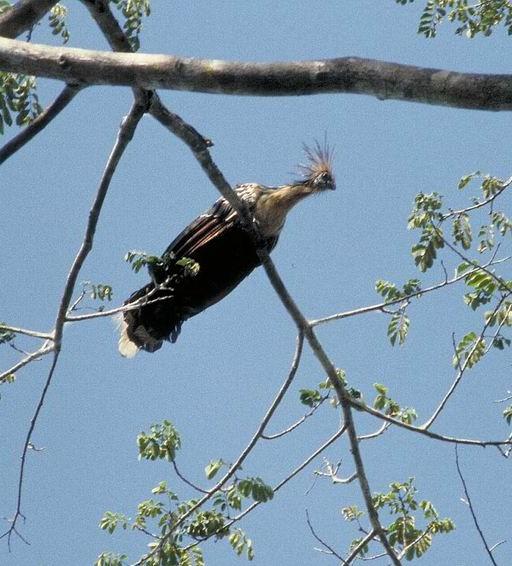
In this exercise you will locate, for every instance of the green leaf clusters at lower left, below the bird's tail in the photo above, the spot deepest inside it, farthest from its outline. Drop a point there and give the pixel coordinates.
(179, 525)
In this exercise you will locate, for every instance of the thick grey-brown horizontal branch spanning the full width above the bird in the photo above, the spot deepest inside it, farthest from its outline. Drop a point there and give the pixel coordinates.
(353, 75)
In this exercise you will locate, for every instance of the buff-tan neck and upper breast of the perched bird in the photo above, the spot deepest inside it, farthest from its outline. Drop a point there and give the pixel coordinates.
(273, 206)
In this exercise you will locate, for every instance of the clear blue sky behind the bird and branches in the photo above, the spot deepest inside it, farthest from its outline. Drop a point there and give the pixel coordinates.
(216, 382)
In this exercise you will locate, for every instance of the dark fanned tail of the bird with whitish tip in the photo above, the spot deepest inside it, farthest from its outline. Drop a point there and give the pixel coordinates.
(155, 319)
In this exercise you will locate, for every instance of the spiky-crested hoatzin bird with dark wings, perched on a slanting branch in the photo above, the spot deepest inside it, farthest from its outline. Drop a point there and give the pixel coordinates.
(214, 253)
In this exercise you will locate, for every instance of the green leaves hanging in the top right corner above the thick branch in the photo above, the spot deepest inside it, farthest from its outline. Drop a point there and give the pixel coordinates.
(472, 18)
